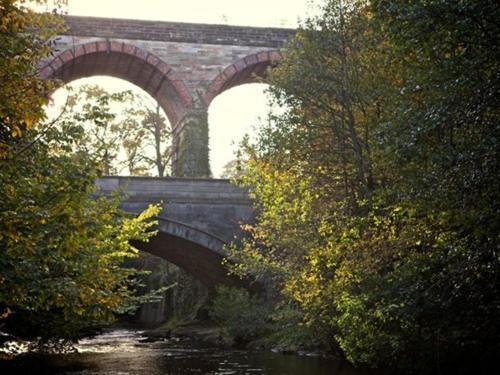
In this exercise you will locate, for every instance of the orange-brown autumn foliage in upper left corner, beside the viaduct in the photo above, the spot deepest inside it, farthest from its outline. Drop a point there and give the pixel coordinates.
(23, 93)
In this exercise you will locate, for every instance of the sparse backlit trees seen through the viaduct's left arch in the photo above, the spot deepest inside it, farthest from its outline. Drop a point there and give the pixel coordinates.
(123, 133)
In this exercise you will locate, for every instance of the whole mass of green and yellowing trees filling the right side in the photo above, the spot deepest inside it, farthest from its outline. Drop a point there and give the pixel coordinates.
(377, 188)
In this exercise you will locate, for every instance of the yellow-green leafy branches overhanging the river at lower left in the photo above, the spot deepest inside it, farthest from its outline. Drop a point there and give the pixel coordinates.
(62, 248)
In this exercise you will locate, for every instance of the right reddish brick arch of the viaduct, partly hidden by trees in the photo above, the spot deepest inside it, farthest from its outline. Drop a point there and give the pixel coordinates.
(242, 71)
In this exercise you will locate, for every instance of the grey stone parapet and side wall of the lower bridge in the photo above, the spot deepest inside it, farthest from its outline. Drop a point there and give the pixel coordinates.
(213, 206)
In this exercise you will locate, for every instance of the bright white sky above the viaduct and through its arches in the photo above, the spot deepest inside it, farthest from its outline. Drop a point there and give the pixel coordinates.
(233, 113)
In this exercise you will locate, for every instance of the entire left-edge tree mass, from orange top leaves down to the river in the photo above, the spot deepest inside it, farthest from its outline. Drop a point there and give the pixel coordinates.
(61, 245)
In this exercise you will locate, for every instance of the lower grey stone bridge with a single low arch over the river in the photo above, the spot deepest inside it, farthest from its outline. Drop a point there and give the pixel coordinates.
(198, 217)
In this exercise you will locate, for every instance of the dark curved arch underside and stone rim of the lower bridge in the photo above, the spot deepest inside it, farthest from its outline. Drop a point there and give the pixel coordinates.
(195, 252)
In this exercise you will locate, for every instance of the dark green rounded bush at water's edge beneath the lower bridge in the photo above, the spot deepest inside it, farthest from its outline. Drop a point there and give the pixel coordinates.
(241, 315)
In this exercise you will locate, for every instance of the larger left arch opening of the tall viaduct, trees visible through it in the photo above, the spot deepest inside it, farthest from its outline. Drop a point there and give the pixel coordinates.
(138, 136)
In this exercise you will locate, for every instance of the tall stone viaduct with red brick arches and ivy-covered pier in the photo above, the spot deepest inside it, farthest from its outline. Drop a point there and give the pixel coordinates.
(183, 66)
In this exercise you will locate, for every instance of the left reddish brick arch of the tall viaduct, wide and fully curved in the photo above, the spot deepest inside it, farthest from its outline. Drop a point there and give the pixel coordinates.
(127, 62)
